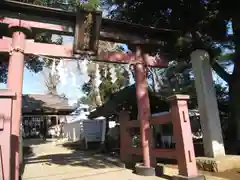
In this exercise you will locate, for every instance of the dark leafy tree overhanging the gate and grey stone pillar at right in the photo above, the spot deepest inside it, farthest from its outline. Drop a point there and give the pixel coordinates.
(203, 24)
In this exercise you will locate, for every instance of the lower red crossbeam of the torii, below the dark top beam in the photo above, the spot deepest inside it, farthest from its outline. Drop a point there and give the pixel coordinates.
(66, 52)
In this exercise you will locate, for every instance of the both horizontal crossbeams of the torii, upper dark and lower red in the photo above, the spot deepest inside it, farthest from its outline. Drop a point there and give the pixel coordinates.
(61, 22)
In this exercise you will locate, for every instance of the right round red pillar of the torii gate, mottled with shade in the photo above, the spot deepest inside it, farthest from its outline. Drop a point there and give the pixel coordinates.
(143, 111)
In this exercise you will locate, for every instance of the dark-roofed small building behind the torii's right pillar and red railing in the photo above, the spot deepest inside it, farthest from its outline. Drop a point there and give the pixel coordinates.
(125, 99)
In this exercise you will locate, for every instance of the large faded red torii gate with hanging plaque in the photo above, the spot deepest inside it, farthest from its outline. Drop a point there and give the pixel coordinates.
(24, 20)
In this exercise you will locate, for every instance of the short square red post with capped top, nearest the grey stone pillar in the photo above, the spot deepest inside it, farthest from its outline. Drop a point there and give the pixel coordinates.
(183, 136)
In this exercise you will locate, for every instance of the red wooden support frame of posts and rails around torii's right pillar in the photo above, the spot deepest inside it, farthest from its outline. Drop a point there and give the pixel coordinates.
(182, 150)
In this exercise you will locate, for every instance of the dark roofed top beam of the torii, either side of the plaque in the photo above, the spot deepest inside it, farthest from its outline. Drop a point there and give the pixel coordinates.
(63, 22)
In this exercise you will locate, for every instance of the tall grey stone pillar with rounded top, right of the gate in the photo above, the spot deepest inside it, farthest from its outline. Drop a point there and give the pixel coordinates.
(207, 104)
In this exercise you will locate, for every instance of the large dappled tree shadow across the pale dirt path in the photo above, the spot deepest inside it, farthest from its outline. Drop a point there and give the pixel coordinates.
(77, 157)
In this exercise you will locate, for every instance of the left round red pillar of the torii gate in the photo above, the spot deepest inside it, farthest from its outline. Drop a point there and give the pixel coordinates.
(14, 83)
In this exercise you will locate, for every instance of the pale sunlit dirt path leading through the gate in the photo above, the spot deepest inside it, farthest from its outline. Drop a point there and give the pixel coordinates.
(50, 161)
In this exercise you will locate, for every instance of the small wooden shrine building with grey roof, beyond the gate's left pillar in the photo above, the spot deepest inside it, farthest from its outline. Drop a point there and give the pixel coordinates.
(41, 111)
